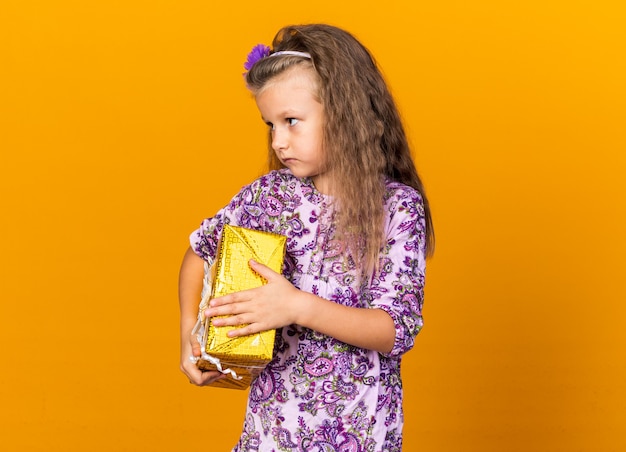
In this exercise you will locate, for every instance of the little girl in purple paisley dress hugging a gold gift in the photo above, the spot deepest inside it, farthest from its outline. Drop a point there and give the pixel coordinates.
(344, 191)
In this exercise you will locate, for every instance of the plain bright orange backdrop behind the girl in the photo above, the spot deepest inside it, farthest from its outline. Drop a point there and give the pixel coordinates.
(124, 123)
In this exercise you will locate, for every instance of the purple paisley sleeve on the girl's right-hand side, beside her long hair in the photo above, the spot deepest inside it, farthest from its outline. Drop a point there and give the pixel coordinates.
(398, 286)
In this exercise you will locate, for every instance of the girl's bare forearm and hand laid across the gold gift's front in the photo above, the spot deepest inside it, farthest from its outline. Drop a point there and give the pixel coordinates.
(279, 303)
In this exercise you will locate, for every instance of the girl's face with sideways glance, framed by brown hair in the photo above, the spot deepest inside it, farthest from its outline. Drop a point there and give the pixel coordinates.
(290, 107)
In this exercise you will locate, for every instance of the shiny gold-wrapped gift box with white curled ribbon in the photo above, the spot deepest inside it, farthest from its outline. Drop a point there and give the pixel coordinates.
(241, 358)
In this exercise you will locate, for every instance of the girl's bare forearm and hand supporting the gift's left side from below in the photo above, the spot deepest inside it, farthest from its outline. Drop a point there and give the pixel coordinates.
(189, 290)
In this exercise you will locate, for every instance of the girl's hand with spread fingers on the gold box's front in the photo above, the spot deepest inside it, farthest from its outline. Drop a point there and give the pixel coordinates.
(268, 307)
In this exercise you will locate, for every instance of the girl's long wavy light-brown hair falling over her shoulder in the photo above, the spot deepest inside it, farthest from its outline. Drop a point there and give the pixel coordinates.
(364, 140)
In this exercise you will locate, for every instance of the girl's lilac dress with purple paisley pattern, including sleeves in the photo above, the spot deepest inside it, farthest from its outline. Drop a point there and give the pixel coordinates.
(320, 394)
